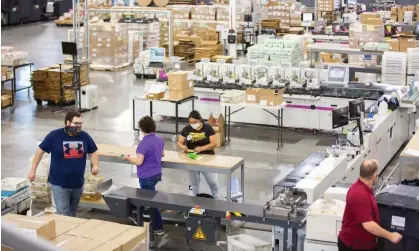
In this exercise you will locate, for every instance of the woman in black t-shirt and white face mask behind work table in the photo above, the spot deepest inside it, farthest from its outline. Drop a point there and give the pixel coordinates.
(199, 137)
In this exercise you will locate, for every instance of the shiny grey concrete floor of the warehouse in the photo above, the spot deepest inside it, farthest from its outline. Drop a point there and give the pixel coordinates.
(112, 123)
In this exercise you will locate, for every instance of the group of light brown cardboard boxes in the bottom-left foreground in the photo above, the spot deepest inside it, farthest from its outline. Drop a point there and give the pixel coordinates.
(74, 234)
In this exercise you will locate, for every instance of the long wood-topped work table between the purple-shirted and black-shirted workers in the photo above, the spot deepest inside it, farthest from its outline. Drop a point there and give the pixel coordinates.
(177, 160)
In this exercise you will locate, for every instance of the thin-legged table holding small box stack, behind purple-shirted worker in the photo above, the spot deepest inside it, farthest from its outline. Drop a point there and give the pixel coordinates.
(177, 102)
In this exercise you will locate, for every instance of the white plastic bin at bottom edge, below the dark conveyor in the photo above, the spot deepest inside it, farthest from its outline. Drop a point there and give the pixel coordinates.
(243, 242)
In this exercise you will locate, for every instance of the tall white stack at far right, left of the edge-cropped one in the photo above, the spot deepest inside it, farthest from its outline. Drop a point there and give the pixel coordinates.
(394, 67)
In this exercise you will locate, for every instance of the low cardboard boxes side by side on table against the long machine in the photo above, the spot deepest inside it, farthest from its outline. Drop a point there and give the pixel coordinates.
(266, 97)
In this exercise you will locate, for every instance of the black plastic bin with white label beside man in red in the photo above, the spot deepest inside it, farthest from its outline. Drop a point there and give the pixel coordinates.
(399, 212)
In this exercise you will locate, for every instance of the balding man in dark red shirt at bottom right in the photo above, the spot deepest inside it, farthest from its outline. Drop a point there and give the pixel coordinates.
(360, 225)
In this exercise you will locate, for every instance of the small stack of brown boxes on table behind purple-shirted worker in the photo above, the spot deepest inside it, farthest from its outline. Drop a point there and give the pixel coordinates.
(179, 85)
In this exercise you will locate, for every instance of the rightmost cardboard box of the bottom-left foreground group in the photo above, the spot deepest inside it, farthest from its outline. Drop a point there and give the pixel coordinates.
(130, 238)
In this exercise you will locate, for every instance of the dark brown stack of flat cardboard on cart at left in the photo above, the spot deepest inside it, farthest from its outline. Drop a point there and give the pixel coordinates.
(47, 85)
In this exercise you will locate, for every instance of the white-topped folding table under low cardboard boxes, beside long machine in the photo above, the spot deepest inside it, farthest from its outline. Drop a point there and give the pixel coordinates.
(269, 109)
